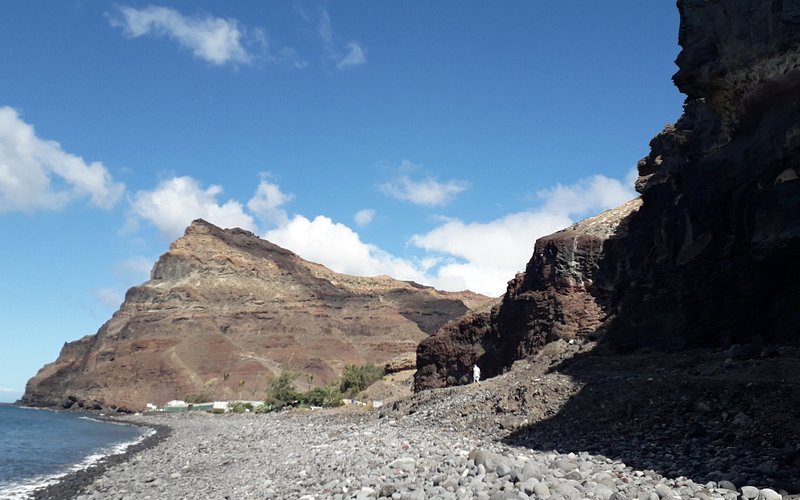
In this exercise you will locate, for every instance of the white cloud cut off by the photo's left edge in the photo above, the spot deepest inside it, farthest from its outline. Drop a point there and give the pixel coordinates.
(37, 174)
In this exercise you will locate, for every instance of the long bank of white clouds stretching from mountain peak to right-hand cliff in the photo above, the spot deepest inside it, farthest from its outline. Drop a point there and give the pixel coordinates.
(457, 255)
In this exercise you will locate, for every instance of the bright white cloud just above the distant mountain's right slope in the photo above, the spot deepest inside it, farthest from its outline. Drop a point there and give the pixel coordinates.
(340, 248)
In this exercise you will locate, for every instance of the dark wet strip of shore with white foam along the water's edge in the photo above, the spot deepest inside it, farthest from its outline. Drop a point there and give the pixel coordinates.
(74, 483)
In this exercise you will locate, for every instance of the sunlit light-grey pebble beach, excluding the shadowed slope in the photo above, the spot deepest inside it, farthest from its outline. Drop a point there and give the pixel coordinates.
(336, 454)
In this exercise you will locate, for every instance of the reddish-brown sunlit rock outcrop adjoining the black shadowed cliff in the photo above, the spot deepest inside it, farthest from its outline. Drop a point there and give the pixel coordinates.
(556, 297)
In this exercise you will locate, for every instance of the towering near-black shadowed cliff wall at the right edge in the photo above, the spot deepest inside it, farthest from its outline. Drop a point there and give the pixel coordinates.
(711, 258)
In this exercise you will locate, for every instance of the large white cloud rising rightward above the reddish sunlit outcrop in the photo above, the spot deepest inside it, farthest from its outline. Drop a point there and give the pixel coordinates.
(483, 256)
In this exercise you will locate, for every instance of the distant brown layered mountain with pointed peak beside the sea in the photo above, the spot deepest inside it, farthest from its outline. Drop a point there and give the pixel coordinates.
(224, 310)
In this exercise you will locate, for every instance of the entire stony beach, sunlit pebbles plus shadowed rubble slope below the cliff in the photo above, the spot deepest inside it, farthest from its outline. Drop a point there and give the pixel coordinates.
(530, 433)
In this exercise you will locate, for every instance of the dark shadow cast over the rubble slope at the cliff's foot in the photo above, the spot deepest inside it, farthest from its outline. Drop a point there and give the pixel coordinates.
(690, 414)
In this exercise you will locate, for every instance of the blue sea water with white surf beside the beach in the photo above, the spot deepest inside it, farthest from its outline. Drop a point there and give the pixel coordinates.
(37, 447)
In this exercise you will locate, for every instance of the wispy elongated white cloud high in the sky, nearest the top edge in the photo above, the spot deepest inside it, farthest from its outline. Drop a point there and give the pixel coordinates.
(213, 39)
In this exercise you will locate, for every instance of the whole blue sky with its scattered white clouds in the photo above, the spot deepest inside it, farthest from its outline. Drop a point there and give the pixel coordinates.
(432, 141)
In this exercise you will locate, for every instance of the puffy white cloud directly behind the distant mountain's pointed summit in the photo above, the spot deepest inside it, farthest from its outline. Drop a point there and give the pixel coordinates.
(176, 202)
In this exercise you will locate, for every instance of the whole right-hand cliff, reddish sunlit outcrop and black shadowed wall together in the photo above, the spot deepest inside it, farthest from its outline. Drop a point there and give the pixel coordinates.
(709, 258)
